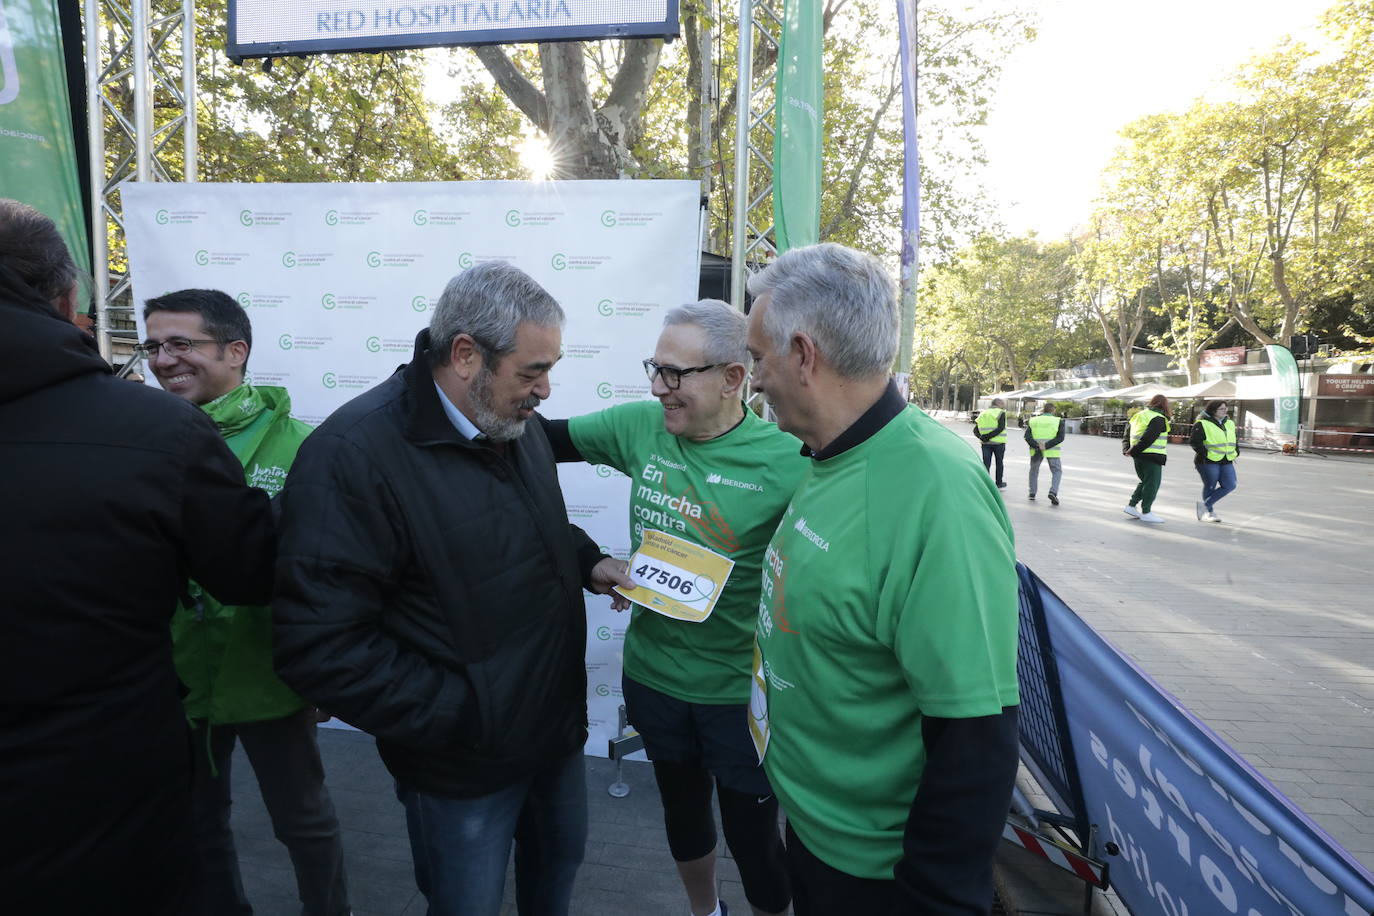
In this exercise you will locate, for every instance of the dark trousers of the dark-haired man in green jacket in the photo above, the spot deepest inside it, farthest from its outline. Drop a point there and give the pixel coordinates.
(286, 762)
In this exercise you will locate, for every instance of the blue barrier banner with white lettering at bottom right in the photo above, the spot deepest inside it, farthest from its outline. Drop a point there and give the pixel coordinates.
(1195, 830)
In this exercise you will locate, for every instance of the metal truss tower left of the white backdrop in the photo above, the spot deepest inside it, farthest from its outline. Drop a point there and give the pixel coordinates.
(141, 104)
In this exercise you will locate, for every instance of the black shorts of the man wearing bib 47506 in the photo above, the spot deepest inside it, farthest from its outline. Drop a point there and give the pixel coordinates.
(715, 738)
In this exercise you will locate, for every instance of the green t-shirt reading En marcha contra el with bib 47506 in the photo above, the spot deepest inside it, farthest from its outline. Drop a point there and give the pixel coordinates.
(726, 495)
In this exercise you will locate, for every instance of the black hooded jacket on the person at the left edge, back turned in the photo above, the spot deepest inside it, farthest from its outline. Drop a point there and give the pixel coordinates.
(113, 495)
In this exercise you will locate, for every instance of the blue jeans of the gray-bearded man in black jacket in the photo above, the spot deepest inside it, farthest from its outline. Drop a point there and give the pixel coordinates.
(462, 845)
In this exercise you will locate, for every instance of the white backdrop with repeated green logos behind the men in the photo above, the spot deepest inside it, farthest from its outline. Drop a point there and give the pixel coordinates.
(340, 278)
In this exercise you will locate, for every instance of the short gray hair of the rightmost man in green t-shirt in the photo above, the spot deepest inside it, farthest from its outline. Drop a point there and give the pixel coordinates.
(839, 297)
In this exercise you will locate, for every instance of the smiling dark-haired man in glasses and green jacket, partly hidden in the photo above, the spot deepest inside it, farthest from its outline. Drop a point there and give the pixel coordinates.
(199, 348)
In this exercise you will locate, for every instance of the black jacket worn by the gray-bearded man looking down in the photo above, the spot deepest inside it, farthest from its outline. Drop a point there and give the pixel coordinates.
(429, 591)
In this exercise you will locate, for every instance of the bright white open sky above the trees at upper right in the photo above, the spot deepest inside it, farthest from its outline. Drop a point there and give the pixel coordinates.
(1099, 65)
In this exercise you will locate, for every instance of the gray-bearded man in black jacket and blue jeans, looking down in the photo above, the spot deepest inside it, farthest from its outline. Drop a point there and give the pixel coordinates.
(431, 594)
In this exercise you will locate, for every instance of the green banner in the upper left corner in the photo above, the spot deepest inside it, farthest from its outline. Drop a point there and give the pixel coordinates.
(38, 154)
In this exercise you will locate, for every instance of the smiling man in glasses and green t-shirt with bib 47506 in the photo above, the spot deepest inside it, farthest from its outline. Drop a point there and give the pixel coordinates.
(704, 469)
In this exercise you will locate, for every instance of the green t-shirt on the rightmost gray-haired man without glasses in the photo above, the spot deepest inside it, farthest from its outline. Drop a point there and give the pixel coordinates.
(891, 593)
